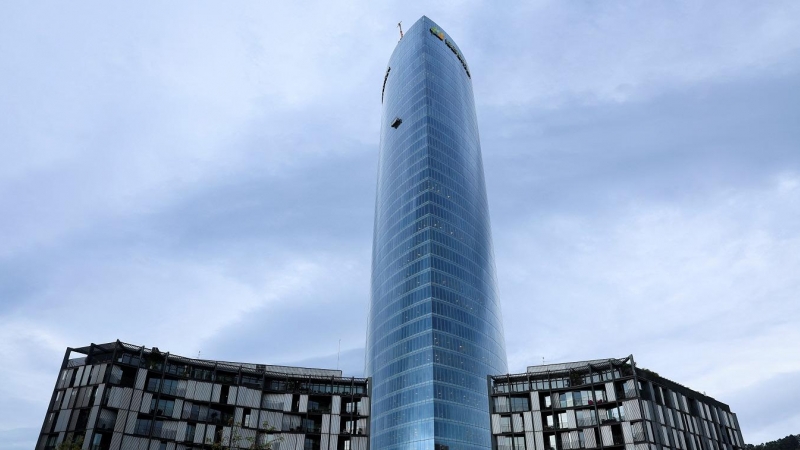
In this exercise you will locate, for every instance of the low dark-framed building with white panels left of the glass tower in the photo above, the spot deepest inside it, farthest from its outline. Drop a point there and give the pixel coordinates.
(117, 396)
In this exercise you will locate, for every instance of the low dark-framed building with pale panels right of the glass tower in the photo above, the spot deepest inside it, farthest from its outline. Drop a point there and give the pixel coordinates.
(606, 404)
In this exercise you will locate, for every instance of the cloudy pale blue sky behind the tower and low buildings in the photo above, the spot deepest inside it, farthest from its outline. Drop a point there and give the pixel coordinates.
(201, 177)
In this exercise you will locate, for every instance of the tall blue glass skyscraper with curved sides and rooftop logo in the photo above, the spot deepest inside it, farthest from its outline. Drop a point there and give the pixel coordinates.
(435, 331)
